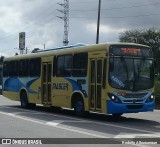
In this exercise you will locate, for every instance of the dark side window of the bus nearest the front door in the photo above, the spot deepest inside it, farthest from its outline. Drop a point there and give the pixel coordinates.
(80, 64)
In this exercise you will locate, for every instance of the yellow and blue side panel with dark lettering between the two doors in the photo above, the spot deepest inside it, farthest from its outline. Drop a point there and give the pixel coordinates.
(63, 88)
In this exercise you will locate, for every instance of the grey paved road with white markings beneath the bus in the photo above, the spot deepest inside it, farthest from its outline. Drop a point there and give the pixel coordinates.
(41, 122)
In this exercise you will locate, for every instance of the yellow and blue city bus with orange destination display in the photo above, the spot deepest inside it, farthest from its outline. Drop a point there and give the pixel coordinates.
(108, 78)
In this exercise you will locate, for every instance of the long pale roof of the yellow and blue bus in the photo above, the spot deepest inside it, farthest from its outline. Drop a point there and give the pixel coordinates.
(69, 50)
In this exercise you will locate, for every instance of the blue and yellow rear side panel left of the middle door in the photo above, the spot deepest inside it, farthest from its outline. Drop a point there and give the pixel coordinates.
(13, 85)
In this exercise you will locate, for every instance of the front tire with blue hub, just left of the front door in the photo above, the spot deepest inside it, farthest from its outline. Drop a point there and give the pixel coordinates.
(79, 107)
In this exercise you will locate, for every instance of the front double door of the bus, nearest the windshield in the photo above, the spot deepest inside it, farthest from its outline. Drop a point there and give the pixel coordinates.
(96, 71)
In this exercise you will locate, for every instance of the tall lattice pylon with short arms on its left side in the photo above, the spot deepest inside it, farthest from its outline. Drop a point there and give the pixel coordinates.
(65, 11)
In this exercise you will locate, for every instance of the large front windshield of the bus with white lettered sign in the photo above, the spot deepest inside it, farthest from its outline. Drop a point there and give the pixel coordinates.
(131, 73)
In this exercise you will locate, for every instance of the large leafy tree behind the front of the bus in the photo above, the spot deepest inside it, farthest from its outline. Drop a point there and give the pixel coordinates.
(150, 37)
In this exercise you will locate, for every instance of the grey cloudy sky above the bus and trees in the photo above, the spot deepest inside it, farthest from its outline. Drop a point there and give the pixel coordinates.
(38, 18)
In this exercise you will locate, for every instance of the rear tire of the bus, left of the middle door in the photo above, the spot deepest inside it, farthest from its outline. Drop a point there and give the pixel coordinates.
(24, 100)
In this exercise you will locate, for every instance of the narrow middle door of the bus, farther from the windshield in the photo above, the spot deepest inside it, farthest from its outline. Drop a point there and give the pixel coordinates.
(46, 82)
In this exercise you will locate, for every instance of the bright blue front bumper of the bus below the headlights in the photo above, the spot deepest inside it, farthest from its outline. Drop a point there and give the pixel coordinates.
(114, 108)
